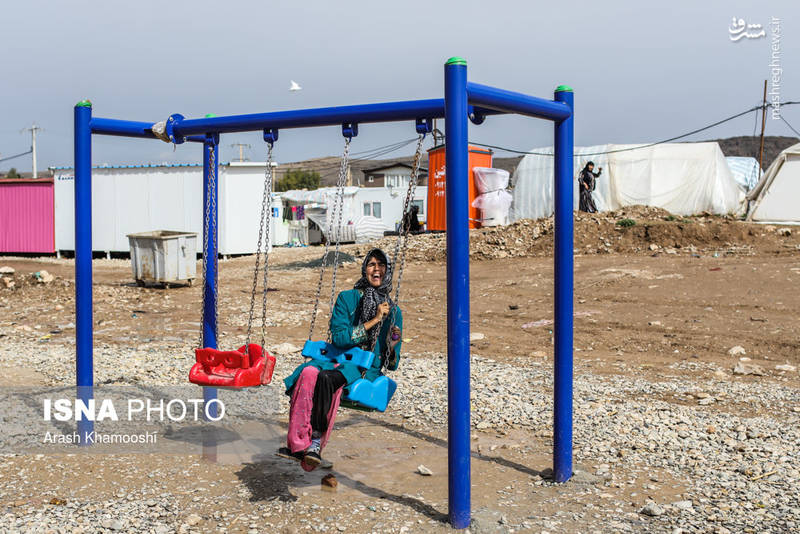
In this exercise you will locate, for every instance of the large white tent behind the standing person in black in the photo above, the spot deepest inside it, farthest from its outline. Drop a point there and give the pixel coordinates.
(683, 178)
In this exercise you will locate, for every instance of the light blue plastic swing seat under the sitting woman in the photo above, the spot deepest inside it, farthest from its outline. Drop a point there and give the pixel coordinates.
(373, 395)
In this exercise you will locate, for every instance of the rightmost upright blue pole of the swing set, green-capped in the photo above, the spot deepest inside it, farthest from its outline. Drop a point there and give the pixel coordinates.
(563, 313)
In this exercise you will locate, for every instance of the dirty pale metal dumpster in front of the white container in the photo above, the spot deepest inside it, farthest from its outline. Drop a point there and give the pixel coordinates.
(163, 256)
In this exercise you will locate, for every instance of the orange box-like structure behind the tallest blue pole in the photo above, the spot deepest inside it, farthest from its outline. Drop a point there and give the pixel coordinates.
(437, 218)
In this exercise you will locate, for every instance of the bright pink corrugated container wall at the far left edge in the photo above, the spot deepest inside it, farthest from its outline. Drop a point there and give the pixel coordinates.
(26, 216)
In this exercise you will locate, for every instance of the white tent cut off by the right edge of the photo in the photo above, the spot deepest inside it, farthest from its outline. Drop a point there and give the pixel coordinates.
(775, 196)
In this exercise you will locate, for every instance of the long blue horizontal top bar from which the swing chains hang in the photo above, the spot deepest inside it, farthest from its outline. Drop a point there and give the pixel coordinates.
(384, 112)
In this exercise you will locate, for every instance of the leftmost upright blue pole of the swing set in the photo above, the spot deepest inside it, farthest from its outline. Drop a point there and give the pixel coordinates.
(84, 363)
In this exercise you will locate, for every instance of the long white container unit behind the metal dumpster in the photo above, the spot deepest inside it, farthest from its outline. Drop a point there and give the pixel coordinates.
(144, 198)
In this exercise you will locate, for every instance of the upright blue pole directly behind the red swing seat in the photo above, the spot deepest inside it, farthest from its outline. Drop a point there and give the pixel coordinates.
(210, 229)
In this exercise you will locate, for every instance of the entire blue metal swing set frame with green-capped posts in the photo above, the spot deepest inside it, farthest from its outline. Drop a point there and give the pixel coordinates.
(463, 101)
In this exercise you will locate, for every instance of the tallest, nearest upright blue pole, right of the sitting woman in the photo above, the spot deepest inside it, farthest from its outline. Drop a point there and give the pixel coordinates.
(458, 384)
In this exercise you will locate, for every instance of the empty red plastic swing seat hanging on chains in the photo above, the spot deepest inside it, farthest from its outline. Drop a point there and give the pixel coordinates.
(232, 368)
